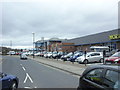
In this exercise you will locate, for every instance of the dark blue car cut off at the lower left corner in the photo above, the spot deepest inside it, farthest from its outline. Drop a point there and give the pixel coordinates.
(8, 82)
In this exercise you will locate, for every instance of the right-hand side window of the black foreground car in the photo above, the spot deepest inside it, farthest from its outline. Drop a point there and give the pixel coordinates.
(112, 79)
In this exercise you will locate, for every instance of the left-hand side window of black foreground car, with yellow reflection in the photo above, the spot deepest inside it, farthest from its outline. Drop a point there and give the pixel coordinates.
(95, 76)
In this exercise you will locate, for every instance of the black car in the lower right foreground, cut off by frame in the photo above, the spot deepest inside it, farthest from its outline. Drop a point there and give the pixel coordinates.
(100, 77)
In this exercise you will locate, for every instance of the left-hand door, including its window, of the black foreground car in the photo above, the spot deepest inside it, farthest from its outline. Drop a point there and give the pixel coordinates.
(92, 80)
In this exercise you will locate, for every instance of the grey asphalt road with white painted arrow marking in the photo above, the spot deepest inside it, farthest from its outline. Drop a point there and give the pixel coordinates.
(32, 74)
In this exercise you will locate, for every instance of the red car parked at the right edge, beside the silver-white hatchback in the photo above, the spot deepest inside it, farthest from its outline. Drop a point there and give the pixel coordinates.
(115, 58)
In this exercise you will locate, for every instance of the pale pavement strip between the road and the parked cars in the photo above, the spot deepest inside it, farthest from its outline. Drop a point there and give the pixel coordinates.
(74, 68)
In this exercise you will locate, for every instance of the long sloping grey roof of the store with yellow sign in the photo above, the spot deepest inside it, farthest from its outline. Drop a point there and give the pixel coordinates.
(94, 38)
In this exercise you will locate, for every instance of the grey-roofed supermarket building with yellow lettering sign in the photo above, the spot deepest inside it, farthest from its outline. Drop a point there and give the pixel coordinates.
(109, 38)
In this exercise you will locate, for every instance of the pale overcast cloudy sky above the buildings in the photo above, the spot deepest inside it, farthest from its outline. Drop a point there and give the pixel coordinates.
(65, 19)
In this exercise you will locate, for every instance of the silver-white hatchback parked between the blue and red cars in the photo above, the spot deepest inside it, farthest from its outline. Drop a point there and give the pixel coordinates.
(90, 57)
